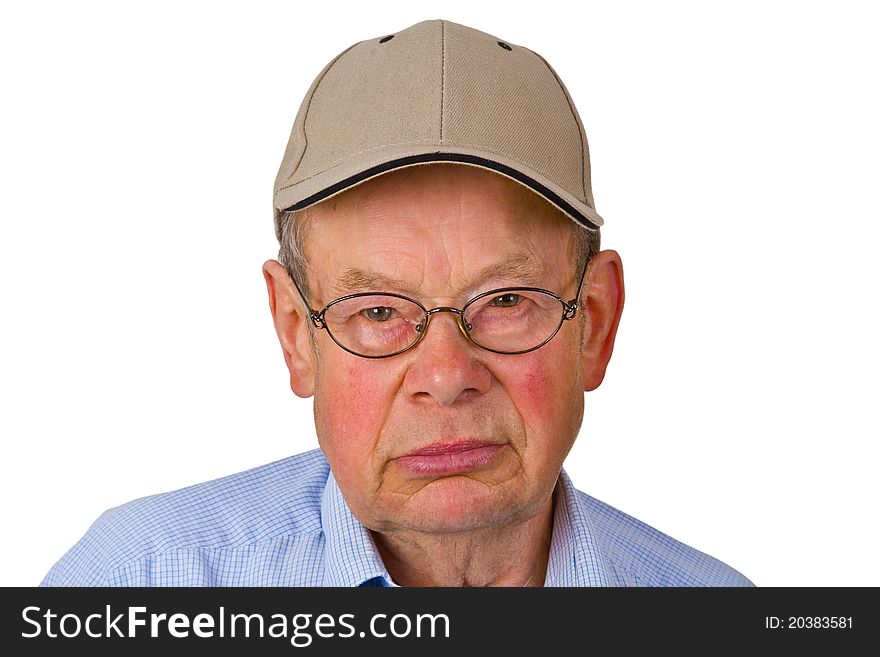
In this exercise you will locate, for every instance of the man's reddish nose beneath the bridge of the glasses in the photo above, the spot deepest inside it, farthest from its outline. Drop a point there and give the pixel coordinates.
(444, 366)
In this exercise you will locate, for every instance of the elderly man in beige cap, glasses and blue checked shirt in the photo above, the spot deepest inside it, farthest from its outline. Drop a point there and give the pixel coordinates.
(441, 295)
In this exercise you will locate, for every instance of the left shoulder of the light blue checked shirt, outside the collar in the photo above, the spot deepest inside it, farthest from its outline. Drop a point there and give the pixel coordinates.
(211, 533)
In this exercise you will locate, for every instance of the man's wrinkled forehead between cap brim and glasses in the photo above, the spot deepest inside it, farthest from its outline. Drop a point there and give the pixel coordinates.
(448, 226)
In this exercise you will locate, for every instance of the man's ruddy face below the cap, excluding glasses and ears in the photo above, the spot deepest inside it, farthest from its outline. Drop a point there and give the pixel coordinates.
(447, 436)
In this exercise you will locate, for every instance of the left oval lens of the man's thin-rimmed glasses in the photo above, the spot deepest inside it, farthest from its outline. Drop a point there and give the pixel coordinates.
(375, 324)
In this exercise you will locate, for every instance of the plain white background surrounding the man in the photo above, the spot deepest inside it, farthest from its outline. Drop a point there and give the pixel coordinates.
(735, 160)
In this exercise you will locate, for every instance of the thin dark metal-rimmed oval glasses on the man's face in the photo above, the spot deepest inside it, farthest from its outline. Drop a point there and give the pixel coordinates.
(507, 320)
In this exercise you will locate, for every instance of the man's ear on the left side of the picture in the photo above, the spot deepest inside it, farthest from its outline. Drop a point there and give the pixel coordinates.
(292, 326)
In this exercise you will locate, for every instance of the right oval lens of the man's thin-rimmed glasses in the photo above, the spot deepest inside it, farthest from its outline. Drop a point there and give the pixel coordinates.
(513, 320)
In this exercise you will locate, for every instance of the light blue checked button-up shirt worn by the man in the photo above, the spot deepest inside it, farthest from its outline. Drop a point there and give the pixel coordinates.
(286, 524)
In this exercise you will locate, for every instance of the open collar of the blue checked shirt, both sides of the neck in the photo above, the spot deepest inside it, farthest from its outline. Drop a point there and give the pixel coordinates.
(351, 557)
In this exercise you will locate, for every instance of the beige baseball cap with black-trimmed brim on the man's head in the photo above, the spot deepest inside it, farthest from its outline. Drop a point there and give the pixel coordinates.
(437, 92)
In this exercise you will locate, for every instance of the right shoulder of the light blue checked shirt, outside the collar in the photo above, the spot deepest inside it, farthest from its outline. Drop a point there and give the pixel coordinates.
(639, 555)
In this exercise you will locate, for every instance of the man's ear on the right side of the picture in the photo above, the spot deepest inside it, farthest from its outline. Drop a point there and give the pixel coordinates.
(603, 303)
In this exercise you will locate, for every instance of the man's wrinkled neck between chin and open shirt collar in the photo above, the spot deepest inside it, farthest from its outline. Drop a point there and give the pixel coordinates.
(514, 555)
